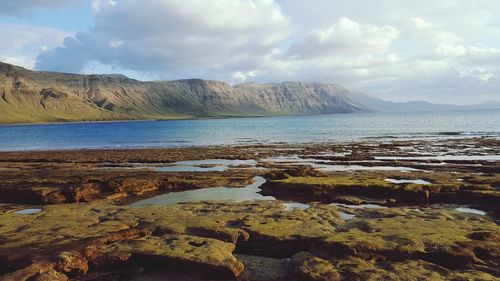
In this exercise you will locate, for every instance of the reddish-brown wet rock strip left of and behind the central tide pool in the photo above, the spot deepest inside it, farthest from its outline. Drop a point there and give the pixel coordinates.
(80, 185)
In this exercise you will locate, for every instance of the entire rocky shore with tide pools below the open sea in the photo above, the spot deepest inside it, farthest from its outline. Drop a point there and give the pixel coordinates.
(372, 210)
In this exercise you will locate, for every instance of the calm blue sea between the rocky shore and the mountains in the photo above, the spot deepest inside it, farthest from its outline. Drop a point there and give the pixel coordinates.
(238, 131)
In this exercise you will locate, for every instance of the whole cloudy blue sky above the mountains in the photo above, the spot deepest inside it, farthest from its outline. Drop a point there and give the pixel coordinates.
(445, 51)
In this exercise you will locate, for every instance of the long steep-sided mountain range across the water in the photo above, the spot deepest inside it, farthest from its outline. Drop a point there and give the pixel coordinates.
(28, 96)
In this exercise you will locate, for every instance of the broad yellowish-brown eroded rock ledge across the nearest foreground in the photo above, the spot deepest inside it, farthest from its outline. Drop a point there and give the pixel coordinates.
(98, 241)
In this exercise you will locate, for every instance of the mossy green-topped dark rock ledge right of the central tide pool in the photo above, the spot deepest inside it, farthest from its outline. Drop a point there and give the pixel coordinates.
(443, 187)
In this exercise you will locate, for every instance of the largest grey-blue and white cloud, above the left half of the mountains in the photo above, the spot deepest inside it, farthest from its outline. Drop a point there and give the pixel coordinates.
(178, 38)
